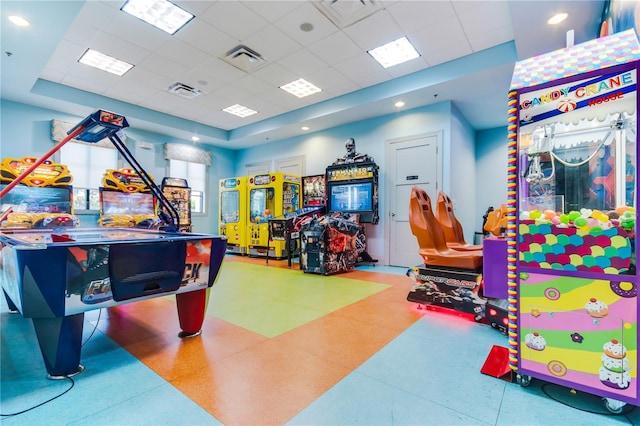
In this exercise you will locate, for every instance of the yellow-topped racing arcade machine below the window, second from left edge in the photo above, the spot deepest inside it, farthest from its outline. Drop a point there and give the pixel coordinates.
(126, 201)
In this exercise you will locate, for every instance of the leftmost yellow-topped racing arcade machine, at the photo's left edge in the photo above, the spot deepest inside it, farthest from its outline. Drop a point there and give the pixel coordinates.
(44, 199)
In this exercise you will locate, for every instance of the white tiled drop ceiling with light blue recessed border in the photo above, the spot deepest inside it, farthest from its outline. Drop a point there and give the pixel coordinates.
(468, 50)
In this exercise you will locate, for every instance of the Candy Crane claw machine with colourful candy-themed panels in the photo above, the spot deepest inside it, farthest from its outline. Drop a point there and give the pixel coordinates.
(572, 275)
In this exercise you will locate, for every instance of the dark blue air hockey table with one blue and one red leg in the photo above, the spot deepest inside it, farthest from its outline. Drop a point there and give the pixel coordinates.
(54, 277)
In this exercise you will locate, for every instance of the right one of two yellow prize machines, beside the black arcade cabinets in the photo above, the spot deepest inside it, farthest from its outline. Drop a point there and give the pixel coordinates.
(270, 195)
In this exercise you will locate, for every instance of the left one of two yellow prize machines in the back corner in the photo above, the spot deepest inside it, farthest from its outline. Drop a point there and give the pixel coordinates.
(233, 213)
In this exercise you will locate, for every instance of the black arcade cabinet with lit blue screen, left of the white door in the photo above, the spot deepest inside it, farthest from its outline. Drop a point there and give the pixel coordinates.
(336, 242)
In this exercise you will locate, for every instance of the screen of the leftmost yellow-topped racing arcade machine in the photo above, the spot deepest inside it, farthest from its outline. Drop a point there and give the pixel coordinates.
(28, 199)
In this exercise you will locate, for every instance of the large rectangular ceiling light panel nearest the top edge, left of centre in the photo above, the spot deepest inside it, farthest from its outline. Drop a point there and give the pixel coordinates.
(160, 13)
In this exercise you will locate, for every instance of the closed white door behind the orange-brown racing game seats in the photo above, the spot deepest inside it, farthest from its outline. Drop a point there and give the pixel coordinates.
(412, 161)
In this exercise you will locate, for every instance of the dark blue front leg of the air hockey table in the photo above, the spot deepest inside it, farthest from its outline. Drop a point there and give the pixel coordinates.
(60, 340)
